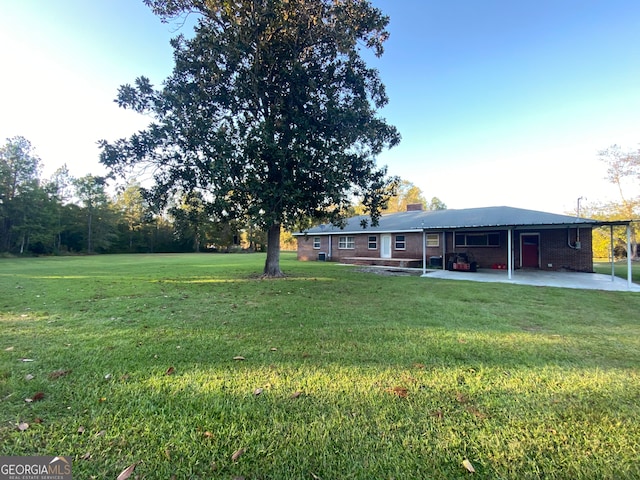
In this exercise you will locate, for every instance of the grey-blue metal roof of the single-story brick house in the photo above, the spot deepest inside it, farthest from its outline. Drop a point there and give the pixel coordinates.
(469, 218)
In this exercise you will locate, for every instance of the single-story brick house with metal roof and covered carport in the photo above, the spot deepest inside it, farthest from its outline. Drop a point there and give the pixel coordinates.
(465, 239)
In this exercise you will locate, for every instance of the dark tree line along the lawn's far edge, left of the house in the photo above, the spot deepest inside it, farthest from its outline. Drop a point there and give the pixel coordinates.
(65, 215)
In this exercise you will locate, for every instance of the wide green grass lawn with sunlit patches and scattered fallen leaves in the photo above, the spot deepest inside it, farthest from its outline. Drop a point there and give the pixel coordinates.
(135, 360)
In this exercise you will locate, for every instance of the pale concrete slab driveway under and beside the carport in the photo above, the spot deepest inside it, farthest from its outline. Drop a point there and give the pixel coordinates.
(587, 281)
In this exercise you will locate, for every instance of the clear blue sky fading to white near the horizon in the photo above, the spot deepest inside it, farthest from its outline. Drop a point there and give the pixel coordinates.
(498, 102)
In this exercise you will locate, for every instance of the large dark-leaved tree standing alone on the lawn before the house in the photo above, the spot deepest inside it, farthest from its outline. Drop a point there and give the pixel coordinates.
(270, 113)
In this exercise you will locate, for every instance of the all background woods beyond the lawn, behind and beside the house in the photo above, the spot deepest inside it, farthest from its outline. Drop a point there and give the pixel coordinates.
(85, 215)
